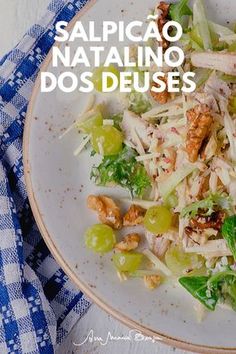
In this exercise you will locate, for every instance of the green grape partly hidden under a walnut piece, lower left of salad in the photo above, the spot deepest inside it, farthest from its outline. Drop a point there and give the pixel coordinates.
(127, 262)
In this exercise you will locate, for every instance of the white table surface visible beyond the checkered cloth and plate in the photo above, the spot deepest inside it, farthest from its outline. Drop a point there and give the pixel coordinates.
(15, 17)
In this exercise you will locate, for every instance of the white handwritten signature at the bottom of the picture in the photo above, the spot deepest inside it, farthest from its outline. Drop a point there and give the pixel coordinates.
(133, 335)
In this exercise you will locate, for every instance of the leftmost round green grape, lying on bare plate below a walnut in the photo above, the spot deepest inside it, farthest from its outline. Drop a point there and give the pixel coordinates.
(100, 238)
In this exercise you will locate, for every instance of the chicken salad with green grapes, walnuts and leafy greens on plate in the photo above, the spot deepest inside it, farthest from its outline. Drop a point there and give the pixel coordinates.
(176, 156)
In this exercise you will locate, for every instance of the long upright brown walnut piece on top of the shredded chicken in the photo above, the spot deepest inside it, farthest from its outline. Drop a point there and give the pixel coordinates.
(199, 124)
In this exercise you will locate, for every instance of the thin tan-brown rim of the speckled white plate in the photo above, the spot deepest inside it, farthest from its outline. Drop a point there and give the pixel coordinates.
(164, 338)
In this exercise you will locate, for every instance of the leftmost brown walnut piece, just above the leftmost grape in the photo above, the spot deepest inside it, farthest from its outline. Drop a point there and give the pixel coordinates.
(108, 211)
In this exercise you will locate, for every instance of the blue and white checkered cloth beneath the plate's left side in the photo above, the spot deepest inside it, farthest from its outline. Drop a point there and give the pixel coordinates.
(38, 303)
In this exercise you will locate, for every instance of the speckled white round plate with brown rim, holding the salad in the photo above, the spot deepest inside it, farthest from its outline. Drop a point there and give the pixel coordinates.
(58, 185)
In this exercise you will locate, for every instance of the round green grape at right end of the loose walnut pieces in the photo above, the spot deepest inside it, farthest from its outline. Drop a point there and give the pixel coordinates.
(158, 219)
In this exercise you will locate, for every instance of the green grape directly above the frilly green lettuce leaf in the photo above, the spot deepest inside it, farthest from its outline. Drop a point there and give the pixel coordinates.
(106, 140)
